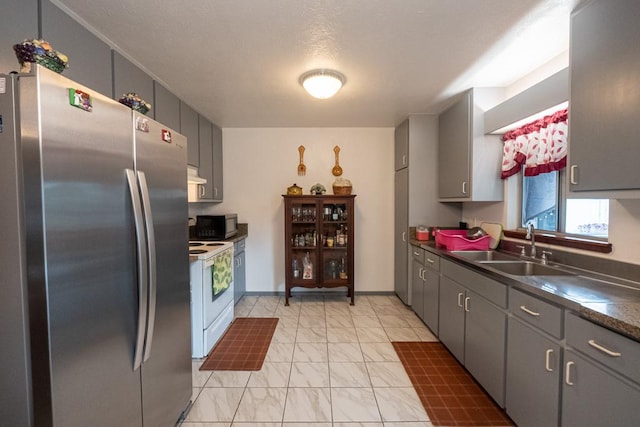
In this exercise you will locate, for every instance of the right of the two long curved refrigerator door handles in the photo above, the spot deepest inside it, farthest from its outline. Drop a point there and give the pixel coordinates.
(151, 259)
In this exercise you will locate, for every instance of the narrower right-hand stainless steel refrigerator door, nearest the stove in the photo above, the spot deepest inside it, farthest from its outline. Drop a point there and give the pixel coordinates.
(161, 166)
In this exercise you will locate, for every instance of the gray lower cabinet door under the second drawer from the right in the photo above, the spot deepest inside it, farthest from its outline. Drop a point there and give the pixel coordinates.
(533, 376)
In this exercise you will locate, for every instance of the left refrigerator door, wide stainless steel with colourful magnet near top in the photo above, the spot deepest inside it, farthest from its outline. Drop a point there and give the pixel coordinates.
(85, 276)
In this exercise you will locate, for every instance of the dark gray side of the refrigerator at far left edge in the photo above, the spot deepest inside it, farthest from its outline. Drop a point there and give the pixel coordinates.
(15, 375)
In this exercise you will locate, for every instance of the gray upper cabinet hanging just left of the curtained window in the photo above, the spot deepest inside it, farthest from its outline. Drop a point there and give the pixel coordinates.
(468, 160)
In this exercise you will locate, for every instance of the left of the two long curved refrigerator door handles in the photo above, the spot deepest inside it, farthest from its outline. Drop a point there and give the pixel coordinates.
(142, 266)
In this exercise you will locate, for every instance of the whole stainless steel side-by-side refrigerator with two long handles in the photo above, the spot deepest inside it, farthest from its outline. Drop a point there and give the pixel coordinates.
(94, 273)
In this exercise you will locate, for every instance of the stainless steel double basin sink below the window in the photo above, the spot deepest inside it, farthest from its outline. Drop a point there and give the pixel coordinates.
(510, 264)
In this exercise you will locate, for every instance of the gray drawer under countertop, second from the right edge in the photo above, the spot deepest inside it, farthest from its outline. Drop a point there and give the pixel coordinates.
(541, 314)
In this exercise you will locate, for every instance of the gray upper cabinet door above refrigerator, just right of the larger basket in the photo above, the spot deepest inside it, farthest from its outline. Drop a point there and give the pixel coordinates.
(89, 57)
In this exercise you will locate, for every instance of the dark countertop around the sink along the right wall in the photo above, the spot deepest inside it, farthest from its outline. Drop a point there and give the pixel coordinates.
(608, 301)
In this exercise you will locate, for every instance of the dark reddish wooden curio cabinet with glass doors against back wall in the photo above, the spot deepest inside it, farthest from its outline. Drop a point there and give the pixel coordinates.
(319, 241)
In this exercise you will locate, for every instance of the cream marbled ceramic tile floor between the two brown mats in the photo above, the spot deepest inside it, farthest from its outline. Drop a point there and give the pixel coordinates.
(329, 364)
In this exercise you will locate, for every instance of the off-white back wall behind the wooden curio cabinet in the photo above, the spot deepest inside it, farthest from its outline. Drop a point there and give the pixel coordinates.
(259, 165)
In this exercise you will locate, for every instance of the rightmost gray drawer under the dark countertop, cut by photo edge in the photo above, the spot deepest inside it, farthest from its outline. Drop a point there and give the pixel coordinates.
(611, 349)
